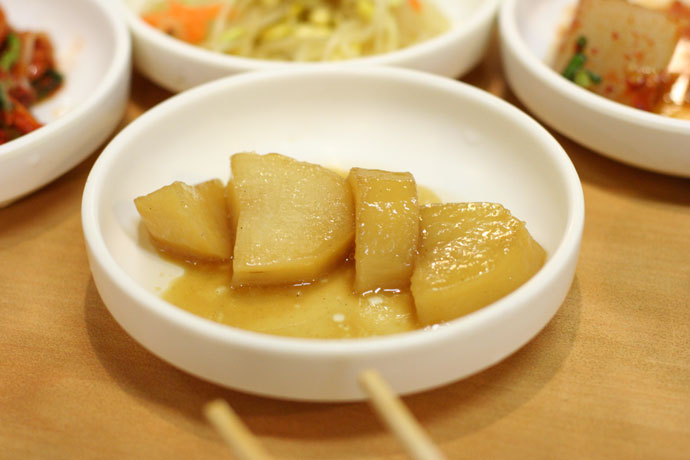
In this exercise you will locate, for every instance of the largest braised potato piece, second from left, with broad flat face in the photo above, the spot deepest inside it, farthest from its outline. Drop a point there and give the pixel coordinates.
(295, 220)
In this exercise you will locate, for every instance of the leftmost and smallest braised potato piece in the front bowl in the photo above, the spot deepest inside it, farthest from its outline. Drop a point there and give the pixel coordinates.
(187, 221)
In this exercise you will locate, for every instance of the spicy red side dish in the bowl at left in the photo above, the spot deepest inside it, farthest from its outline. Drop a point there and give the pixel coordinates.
(27, 75)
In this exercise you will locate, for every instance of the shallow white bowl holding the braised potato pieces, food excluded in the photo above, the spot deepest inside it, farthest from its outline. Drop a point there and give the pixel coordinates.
(462, 142)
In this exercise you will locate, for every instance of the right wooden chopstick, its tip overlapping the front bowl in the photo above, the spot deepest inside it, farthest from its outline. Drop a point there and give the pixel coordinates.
(398, 418)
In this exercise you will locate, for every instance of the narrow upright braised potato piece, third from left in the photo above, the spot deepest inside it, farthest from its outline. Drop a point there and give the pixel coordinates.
(387, 228)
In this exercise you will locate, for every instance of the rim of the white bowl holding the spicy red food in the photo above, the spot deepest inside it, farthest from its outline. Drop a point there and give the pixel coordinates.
(122, 50)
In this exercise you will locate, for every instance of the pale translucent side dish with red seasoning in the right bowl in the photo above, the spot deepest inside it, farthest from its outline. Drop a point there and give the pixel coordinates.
(635, 54)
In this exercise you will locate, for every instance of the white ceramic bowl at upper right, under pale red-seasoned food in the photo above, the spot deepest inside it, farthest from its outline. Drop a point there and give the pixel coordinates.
(528, 30)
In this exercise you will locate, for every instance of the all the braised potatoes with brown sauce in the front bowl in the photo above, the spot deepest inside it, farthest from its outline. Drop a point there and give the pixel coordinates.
(315, 254)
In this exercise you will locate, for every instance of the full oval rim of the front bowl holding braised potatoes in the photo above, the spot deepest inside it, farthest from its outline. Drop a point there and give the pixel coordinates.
(566, 250)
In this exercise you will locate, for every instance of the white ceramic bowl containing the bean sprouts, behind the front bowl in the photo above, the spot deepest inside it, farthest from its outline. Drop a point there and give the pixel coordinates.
(177, 66)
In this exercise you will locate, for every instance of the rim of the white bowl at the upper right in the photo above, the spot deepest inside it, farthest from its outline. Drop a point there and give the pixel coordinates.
(540, 71)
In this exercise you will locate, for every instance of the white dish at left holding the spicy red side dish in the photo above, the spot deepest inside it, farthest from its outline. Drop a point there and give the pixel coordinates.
(93, 51)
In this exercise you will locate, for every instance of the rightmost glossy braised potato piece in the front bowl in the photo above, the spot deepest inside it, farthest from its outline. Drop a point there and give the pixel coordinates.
(471, 254)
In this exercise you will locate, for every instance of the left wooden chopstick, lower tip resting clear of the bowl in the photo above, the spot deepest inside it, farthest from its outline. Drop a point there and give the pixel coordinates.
(234, 432)
